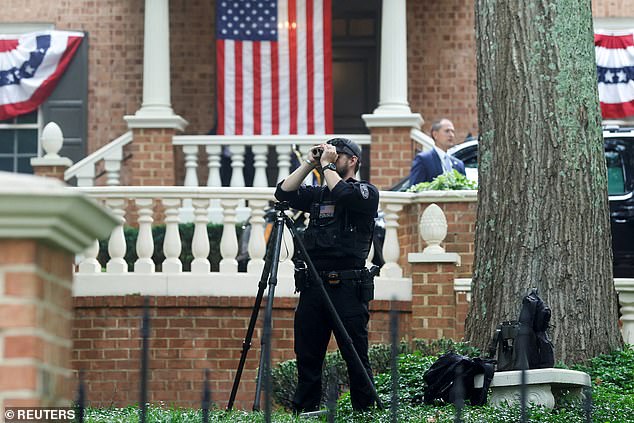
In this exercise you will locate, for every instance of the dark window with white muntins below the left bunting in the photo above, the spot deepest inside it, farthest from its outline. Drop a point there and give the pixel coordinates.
(19, 143)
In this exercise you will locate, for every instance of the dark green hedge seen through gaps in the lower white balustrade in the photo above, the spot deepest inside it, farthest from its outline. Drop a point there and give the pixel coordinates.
(186, 230)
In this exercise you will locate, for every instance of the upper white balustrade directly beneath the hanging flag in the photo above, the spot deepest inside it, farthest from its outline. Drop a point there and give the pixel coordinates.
(236, 147)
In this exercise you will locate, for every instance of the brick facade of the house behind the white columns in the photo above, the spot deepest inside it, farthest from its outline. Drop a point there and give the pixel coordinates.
(441, 59)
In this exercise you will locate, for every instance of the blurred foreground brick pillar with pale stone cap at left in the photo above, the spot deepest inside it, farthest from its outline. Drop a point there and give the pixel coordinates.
(42, 225)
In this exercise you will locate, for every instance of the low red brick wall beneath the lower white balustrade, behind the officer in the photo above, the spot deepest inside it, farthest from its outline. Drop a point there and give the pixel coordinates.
(188, 335)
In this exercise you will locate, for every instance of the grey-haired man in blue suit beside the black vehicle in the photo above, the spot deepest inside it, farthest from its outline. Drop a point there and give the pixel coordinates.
(429, 164)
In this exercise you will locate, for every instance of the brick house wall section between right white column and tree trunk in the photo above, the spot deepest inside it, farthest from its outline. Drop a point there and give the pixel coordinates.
(441, 63)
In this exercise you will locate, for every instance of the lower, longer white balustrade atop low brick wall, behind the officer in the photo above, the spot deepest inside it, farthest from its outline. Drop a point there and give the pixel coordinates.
(116, 279)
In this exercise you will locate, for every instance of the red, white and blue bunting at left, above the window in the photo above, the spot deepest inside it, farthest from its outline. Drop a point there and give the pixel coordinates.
(30, 67)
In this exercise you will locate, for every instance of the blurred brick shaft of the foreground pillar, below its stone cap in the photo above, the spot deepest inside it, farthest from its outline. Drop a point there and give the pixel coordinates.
(35, 324)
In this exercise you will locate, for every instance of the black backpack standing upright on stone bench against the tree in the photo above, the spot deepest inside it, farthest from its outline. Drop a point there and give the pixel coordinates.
(524, 343)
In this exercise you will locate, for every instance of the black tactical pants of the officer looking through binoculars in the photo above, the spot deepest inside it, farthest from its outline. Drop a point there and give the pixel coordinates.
(313, 327)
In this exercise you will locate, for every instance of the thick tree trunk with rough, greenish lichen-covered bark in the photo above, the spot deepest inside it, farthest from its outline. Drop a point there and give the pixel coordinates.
(543, 216)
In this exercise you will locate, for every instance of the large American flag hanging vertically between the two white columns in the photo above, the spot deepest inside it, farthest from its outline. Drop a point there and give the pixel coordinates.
(274, 65)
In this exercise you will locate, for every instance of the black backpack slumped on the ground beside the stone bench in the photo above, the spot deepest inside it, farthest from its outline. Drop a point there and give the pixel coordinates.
(451, 378)
